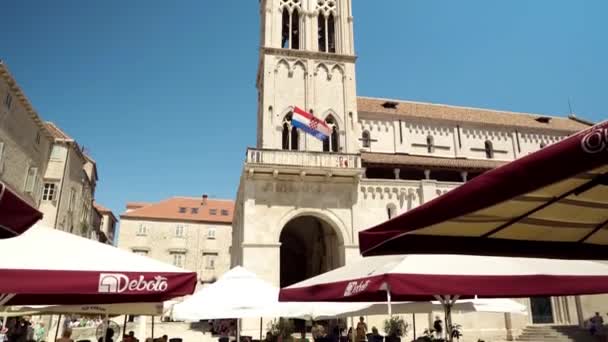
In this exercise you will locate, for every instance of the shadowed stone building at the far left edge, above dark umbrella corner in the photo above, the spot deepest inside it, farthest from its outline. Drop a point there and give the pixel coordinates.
(25, 143)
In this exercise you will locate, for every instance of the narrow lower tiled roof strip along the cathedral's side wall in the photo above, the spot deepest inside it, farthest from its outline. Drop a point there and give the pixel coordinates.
(421, 161)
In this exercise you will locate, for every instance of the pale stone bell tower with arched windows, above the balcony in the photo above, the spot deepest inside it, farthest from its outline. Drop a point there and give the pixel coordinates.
(307, 59)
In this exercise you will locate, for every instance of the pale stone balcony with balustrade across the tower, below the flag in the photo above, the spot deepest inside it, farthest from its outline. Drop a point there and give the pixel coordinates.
(303, 163)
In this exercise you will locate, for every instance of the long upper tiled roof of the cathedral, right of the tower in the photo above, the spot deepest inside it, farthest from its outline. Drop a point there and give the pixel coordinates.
(372, 106)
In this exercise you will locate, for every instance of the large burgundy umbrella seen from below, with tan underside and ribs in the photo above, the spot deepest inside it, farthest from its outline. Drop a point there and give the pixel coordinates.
(552, 203)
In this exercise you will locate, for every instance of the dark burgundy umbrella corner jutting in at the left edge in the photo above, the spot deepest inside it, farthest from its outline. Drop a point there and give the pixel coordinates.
(16, 215)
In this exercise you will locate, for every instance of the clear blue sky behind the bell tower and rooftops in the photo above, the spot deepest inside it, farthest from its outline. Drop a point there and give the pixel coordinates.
(163, 92)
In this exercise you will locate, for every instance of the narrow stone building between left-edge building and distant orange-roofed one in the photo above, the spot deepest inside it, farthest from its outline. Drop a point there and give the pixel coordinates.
(68, 187)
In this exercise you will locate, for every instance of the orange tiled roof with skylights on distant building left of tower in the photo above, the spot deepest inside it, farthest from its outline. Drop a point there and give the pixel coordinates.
(187, 209)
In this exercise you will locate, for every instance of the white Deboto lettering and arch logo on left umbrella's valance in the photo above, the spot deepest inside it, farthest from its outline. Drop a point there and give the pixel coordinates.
(118, 283)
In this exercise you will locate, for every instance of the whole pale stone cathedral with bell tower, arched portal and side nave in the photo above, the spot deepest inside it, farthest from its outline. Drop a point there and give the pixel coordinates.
(301, 202)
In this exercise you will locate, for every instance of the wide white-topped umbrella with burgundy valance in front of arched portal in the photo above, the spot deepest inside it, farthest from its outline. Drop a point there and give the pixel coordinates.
(448, 278)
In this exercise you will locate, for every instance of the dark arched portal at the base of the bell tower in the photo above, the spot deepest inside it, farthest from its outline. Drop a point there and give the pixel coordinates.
(309, 246)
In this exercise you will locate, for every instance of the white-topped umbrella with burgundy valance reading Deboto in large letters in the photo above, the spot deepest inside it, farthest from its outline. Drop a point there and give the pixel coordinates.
(45, 266)
